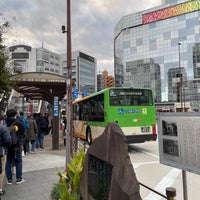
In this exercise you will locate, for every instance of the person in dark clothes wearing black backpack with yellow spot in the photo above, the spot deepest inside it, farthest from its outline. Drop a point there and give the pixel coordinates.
(15, 150)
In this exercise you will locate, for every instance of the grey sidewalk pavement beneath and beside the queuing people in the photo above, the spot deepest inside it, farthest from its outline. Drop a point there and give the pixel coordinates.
(39, 171)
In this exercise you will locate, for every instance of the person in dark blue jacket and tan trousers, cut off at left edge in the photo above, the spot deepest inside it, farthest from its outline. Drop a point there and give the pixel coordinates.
(5, 142)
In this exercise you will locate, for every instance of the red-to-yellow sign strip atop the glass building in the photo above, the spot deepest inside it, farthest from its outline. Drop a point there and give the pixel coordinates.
(172, 11)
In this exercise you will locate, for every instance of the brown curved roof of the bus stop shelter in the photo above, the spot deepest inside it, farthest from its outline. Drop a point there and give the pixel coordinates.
(40, 85)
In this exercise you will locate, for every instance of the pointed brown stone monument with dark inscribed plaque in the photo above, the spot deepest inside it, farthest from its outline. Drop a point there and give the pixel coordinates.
(108, 173)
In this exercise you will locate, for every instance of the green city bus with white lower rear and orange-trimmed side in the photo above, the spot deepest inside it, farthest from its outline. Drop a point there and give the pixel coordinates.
(132, 108)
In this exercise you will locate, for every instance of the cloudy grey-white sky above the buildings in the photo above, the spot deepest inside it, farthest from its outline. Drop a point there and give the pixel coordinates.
(93, 21)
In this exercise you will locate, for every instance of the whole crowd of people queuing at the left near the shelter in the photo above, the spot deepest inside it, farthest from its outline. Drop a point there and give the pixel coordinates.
(30, 134)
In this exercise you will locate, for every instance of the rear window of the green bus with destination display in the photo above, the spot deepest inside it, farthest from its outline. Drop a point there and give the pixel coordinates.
(130, 97)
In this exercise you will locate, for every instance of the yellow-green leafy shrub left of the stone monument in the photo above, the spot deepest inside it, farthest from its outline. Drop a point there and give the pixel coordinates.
(68, 185)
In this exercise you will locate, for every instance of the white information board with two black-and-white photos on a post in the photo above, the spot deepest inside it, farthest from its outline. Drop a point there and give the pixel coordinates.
(179, 140)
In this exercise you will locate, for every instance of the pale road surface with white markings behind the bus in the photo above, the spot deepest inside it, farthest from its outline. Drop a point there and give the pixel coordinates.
(149, 171)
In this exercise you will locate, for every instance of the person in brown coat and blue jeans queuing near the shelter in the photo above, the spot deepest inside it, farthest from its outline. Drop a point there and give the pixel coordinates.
(32, 133)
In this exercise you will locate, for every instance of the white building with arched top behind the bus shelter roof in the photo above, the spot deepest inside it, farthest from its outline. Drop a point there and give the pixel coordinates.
(27, 59)
